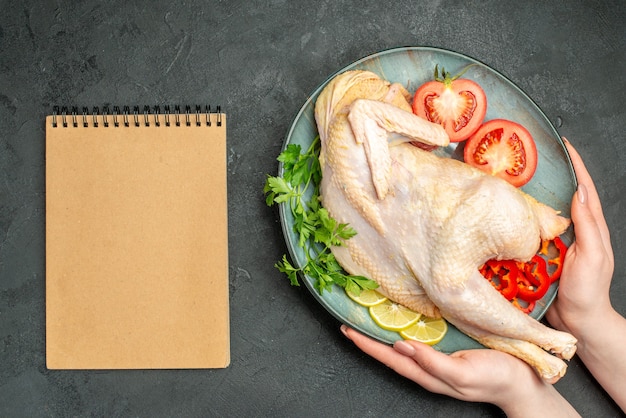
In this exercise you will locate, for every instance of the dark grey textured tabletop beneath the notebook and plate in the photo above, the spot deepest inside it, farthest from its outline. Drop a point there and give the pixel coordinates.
(260, 60)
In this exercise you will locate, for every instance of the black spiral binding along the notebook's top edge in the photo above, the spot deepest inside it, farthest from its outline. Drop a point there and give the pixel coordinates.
(146, 117)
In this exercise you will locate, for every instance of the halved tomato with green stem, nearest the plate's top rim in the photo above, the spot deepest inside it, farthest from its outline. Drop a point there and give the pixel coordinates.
(457, 104)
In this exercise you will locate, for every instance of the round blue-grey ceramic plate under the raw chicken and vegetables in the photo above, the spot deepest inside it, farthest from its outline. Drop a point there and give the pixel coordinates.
(553, 183)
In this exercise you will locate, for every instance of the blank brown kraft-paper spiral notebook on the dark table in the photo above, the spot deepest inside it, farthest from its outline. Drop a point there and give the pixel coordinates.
(136, 239)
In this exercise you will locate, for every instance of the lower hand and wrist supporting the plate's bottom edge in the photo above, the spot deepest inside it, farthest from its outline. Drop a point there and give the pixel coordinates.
(481, 375)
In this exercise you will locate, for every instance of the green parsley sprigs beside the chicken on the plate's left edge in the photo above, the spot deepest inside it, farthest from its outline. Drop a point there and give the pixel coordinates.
(317, 231)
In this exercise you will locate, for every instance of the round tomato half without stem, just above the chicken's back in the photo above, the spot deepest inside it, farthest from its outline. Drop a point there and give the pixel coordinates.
(505, 149)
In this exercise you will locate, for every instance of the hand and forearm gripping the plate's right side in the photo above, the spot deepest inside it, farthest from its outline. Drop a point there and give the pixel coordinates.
(583, 306)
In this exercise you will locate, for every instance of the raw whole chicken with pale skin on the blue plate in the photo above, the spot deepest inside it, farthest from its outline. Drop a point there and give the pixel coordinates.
(425, 224)
